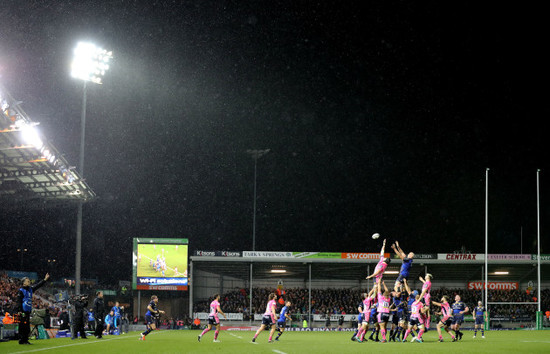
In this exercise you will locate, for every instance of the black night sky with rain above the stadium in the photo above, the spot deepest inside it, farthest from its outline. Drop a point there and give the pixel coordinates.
(380, 116)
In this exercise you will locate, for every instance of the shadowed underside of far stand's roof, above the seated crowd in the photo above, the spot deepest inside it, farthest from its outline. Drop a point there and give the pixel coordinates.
(239, 268)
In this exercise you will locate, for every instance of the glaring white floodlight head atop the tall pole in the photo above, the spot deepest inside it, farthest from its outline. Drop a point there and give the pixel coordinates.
(90, 62)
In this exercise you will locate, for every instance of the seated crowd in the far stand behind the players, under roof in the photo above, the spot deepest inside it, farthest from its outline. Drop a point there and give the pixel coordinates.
(345, 301)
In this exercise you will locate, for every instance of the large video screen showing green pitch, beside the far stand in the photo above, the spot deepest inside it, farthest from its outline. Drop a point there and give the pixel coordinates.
(160, 264)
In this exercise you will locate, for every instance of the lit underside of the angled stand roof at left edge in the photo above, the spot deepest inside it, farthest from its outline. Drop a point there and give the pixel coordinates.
(32, 171)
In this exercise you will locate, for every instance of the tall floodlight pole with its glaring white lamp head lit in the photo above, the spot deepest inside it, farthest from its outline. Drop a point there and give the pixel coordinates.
(89, 65)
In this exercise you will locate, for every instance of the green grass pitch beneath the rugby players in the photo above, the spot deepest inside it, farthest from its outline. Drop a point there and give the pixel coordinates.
(165, 341)
